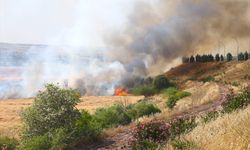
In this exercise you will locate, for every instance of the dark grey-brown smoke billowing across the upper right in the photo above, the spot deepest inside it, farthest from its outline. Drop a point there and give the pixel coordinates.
(159, 33)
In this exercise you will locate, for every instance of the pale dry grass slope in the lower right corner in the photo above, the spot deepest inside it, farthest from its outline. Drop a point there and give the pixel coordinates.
(228, 132)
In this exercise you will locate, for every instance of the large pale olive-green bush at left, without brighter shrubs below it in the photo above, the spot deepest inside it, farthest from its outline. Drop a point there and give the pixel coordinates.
(51, 109)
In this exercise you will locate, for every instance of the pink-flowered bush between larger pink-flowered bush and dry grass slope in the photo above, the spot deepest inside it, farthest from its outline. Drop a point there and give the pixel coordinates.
(181, 125)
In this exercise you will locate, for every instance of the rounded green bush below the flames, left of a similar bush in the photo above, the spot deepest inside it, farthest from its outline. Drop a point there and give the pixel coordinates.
(112, 116)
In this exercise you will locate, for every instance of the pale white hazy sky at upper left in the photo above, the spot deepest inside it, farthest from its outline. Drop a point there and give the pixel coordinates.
(68, 22)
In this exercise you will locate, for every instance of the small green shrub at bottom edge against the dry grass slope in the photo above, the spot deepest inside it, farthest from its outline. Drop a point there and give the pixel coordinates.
(182, 144)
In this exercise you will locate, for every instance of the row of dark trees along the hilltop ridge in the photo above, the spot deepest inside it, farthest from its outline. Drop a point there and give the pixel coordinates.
(211, 58)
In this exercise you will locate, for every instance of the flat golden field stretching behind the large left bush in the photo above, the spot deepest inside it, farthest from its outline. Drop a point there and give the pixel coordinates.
(10, 122)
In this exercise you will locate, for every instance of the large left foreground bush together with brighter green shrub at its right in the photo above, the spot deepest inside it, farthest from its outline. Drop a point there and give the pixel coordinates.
(53, 122)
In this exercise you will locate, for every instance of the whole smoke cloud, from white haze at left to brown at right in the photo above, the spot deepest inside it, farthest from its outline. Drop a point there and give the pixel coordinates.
(153, 38)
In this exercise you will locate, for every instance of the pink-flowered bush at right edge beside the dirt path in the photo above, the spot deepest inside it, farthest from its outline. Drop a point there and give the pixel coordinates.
(235, 102)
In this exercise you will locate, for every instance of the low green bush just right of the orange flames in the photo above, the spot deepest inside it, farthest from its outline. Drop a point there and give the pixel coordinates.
(143, 90)
